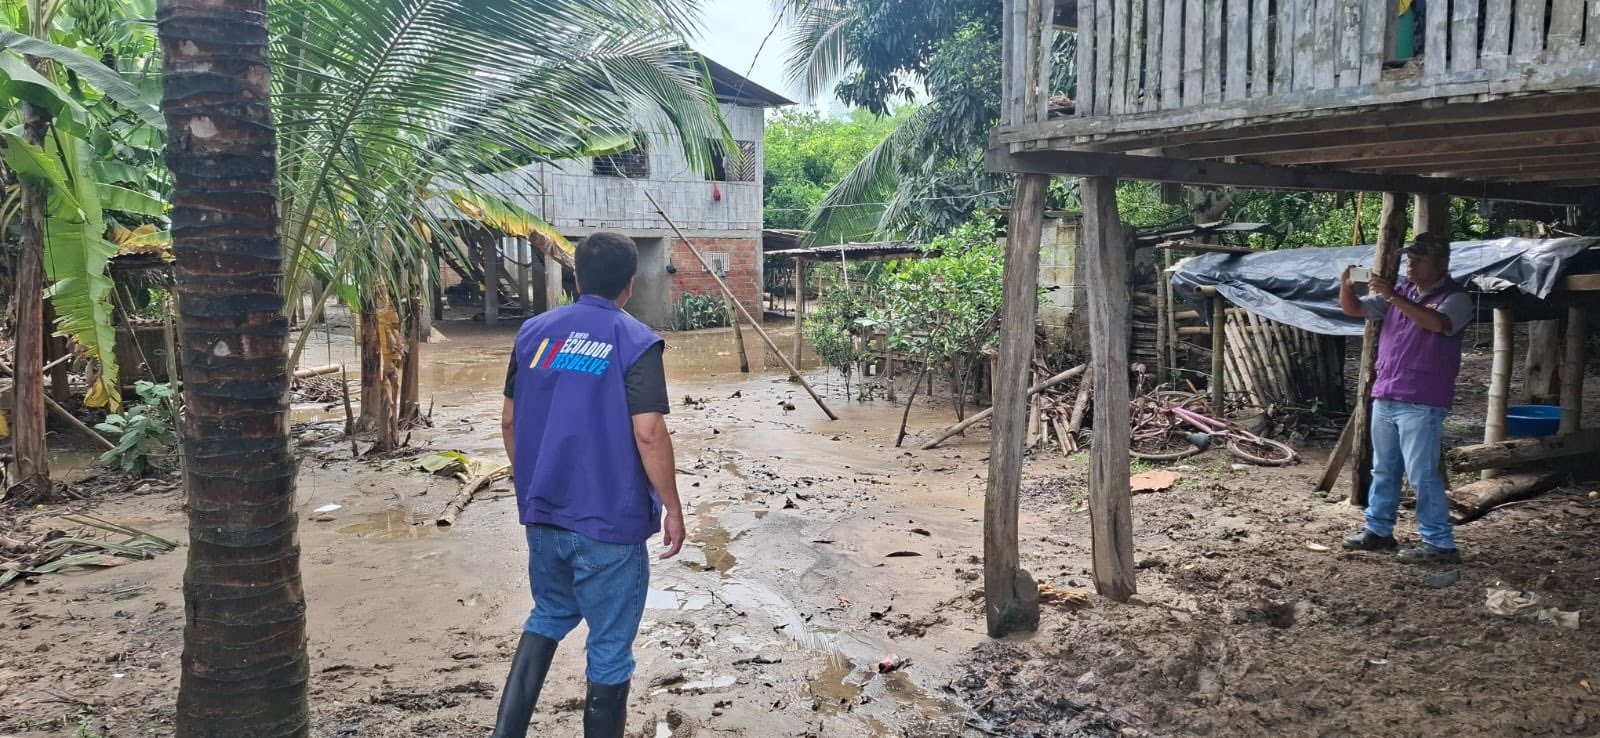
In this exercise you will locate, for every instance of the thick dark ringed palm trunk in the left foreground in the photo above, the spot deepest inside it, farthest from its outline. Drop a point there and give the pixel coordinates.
(244, 667)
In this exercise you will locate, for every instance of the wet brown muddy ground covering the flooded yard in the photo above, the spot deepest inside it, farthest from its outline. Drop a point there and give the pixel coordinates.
(818, 551)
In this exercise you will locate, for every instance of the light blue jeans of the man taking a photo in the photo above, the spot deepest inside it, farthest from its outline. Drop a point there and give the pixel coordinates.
(1407, 439)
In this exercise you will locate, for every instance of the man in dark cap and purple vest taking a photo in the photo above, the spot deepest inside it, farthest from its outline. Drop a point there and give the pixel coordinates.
(1418, 361)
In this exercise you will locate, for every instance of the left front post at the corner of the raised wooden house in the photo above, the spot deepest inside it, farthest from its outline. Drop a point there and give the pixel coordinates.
(1010, 608)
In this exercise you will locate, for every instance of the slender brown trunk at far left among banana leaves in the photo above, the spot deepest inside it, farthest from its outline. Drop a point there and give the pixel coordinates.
(28, 428)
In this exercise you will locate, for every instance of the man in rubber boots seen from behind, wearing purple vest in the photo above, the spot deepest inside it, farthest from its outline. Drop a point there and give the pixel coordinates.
(585, 423)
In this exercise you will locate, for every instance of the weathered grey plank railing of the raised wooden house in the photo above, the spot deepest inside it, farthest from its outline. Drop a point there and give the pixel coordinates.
(1143, 57)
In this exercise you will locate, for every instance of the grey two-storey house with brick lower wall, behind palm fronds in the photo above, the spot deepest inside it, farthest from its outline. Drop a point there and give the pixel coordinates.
(722, 214)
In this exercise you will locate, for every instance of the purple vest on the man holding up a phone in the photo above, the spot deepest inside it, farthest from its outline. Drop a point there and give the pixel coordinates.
(1415, 364)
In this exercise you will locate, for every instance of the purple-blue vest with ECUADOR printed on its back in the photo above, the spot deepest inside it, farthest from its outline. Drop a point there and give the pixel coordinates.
(577, 463)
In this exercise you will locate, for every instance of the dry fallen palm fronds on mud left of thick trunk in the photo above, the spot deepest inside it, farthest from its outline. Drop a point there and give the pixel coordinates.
(94, 545)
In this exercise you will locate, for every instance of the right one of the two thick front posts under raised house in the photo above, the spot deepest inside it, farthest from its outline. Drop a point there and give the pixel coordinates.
(1111, 508)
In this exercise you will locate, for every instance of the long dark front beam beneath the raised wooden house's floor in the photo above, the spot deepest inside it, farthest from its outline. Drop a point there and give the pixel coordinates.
(1262, 177)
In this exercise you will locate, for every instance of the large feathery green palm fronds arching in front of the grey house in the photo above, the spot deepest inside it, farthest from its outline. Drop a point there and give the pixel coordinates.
(382, 100)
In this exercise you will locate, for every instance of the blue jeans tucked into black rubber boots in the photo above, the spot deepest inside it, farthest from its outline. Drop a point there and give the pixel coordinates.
(577, 579)
